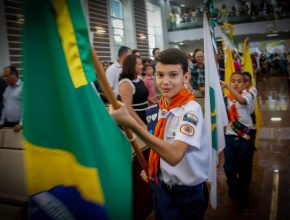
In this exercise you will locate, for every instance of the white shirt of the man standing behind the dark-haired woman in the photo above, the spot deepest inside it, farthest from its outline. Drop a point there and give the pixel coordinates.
(113, 74)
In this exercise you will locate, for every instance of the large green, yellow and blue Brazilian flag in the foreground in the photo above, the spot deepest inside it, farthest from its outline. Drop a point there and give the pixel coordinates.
(77, 161)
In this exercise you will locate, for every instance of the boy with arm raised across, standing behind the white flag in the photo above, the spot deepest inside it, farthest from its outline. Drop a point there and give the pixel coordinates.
(239, 148)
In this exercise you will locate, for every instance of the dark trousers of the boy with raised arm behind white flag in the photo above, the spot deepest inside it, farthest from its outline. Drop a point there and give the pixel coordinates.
(238, 155)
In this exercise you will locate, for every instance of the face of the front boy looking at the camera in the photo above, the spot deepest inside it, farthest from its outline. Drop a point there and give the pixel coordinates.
(170, 79)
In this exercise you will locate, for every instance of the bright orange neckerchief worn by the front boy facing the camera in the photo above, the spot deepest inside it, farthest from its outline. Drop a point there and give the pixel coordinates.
(178, 100)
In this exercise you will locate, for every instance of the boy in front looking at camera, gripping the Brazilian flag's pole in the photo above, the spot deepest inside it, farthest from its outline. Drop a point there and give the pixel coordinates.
(179, 157)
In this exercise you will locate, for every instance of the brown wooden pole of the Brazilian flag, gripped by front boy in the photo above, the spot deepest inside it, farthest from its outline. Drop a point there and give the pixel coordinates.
(112, 99)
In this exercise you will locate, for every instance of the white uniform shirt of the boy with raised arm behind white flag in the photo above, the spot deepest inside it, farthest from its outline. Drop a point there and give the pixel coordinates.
(244, 112)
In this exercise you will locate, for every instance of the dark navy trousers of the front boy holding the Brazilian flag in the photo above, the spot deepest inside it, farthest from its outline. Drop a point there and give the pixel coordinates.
(179, 202)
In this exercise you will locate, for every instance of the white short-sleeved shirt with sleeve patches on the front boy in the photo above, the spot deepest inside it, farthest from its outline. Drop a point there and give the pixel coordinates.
(186, 124)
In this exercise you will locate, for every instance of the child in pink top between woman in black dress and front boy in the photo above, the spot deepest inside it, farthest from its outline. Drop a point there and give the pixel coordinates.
(149, 83)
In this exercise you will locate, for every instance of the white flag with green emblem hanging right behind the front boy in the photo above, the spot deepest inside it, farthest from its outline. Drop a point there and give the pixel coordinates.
(215, 112)
